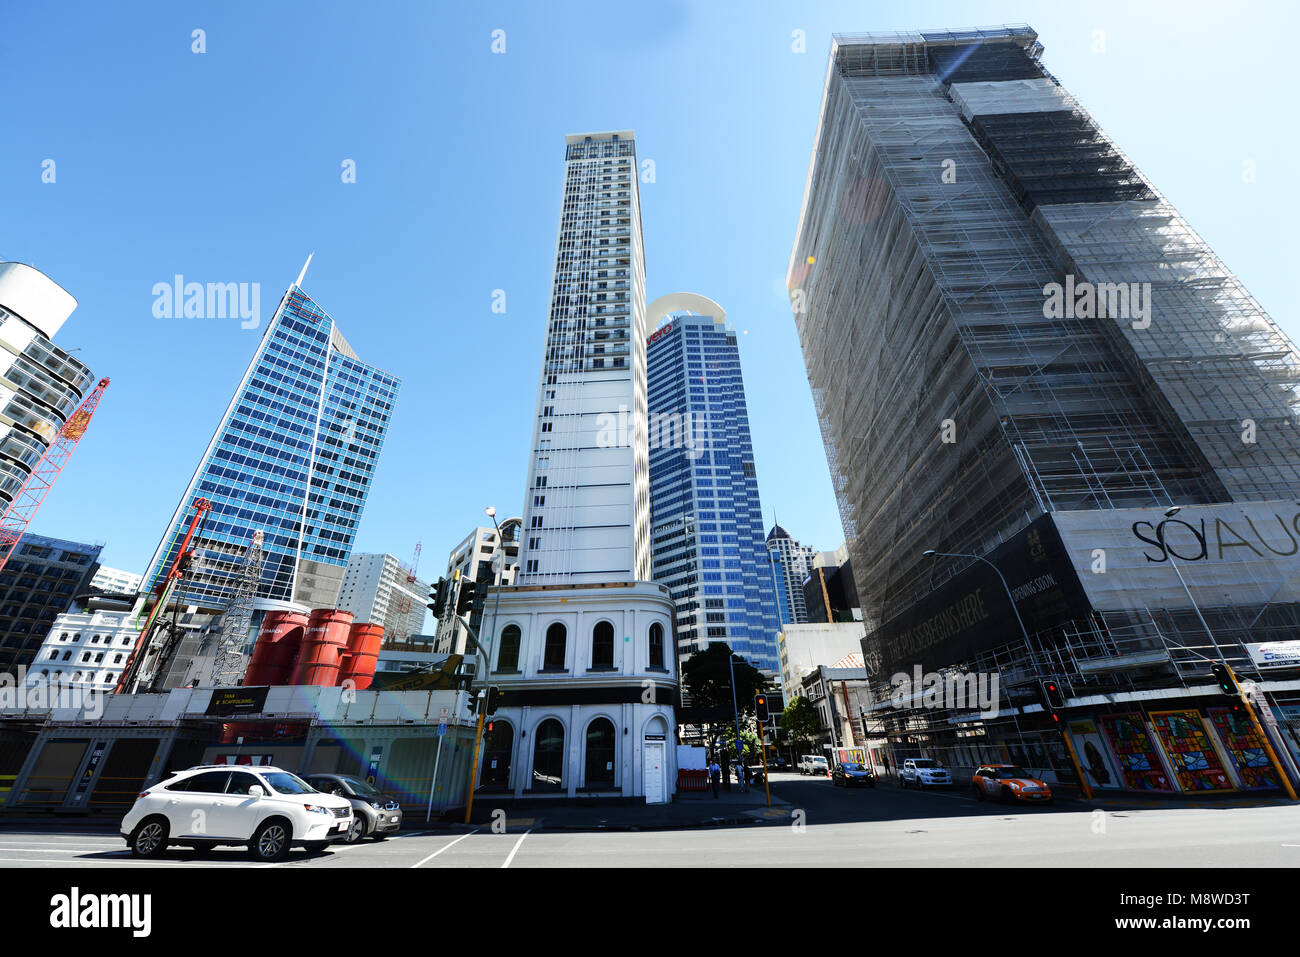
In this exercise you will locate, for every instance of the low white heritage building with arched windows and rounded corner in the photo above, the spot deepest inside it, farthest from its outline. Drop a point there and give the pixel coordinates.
(596, 666)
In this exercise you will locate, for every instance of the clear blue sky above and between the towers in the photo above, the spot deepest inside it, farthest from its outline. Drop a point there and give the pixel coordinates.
(226, 168)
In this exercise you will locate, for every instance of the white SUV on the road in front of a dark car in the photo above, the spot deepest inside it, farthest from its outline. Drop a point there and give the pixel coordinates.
(265, 808)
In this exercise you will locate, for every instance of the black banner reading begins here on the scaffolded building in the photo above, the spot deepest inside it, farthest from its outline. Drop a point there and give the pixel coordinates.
(973, 613)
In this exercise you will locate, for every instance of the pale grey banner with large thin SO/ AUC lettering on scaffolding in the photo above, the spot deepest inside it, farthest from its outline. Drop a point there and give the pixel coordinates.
(1126, 557)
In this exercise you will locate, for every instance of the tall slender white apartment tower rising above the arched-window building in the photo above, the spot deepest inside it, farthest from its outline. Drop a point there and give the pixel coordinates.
(588, 510)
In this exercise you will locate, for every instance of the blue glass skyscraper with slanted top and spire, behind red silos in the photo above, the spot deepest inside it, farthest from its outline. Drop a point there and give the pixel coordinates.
(293, 457)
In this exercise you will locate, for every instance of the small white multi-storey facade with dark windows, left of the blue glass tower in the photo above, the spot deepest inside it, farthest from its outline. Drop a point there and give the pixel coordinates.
(86, 651)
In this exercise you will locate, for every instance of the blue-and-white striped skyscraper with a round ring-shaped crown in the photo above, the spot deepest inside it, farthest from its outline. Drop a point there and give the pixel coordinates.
(708, 521)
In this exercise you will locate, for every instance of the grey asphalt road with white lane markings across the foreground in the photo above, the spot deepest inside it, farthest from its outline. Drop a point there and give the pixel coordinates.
(822, 826)
